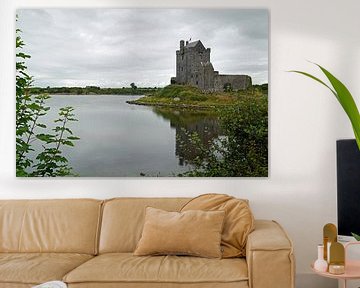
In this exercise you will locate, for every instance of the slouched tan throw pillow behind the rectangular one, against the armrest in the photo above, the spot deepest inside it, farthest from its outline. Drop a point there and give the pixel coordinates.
(239, 220)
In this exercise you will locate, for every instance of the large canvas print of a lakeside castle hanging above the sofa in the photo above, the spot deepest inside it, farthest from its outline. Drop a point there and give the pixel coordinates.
(142, 92)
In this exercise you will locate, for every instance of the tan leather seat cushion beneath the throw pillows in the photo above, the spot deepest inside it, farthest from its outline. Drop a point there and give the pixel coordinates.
(126, 268)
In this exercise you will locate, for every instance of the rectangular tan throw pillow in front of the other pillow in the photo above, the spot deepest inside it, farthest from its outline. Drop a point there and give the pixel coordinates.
(196, 233)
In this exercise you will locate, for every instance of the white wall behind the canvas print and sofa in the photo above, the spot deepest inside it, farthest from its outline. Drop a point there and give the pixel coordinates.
(305, 120)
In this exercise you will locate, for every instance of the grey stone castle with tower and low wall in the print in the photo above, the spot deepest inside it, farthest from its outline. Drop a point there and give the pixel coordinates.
(193, 67)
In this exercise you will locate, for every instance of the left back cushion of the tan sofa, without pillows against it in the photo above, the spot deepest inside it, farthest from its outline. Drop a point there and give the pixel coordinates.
(67, 226)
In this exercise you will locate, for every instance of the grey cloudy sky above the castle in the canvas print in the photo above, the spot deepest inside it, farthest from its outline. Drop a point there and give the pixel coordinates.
(114, 47)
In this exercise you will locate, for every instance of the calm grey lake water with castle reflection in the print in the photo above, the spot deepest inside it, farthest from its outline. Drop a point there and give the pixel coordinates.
(119, 139)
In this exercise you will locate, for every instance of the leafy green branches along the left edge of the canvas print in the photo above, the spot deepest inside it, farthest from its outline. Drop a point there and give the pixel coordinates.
(30, 109)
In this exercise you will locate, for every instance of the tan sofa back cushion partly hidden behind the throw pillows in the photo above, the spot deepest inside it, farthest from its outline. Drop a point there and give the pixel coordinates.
(123, 220)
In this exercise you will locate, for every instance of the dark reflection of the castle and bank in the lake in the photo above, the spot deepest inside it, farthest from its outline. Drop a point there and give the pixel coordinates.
(204, 123)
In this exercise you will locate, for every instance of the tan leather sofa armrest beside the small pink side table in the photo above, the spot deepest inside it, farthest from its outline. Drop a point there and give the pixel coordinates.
(269, 256)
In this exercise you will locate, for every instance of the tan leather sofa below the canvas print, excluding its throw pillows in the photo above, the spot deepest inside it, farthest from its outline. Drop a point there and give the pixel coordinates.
(89, 243)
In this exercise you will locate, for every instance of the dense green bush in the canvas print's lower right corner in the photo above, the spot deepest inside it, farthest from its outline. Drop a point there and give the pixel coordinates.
(243, 150)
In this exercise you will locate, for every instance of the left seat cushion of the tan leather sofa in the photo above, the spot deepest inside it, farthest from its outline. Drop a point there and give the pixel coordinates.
(36, 268)
